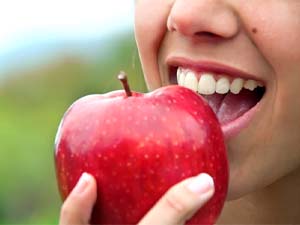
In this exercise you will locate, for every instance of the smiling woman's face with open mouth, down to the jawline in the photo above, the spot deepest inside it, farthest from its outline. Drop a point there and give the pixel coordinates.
(239, 40)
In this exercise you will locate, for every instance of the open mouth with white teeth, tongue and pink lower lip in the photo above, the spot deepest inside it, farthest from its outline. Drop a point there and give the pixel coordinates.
(232, 98)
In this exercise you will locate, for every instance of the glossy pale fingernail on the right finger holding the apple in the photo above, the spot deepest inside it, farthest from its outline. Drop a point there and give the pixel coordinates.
(201, 184)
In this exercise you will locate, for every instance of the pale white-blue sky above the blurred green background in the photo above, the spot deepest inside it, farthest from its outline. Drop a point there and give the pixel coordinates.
(29, 23)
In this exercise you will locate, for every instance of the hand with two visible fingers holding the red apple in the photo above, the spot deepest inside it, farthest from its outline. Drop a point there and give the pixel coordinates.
(176, 207)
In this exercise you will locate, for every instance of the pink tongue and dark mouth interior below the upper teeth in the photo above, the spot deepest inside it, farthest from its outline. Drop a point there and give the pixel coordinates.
(231, 106)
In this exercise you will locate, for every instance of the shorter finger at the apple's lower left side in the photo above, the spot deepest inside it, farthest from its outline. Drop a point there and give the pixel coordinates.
(77, 208)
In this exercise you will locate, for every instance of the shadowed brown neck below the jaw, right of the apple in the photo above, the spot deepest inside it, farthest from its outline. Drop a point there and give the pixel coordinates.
(278, 203)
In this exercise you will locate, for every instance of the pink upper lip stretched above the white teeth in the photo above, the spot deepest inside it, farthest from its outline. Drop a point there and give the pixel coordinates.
(210, 66)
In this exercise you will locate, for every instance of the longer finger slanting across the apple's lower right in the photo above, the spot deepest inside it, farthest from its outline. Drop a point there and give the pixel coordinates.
(181, 201)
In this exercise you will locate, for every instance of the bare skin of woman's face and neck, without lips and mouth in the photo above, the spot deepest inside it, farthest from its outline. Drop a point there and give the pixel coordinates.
(261, 38)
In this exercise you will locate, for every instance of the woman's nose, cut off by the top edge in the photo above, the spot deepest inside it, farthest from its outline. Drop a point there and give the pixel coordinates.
(203, 18)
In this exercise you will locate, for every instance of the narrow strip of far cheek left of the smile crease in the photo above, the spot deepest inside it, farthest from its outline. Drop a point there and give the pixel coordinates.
(150, 27)
